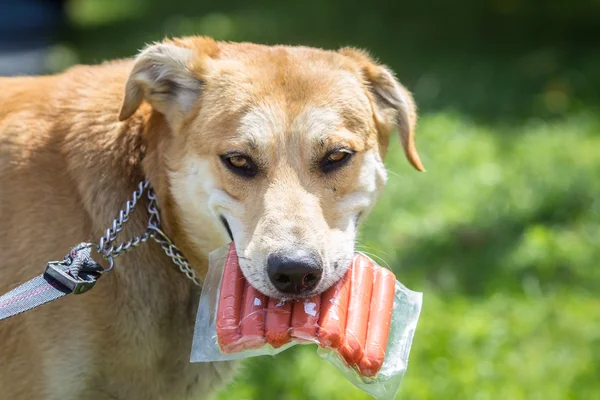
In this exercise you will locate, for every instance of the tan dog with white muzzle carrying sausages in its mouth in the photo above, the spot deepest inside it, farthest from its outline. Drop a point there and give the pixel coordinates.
(282, 146)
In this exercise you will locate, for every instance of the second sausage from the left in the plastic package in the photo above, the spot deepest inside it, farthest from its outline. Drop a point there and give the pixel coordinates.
(253, 318)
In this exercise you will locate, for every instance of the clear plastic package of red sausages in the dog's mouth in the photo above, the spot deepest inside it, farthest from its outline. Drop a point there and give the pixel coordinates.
(364, 324)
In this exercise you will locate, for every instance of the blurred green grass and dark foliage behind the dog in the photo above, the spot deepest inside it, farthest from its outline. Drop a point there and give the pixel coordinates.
(502, 232)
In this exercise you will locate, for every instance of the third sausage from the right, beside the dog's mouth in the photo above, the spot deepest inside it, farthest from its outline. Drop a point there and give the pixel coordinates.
(334, 309)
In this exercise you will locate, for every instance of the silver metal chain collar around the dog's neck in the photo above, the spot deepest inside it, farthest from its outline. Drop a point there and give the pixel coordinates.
(107, 248)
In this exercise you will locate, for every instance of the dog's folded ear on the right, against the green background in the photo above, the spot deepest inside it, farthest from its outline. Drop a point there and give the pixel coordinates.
(394, 105)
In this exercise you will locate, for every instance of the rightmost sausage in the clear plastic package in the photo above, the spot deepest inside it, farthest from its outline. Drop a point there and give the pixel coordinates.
(380, 318)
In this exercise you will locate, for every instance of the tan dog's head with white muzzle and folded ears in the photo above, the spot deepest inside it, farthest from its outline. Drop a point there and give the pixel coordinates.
(279, 147)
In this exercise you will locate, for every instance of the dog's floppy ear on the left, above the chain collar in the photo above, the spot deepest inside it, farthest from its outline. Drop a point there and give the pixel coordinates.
(166, 75)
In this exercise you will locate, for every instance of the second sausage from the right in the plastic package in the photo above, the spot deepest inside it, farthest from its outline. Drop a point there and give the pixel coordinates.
(353, 346)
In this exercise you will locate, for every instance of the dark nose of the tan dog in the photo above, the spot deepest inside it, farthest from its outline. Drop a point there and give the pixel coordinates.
(294, 272)
